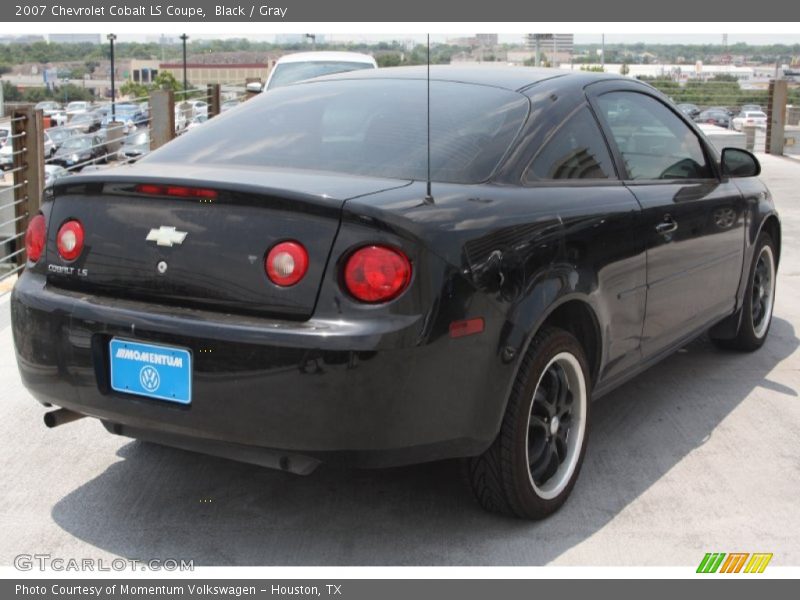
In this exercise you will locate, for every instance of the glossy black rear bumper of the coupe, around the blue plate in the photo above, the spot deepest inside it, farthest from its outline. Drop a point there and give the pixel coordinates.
(365, 393)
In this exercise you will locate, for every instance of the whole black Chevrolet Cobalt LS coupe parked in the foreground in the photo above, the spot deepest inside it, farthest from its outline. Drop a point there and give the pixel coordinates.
(278, 286)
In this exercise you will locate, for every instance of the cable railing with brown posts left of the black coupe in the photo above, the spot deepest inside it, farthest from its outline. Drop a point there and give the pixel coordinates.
(99, 143)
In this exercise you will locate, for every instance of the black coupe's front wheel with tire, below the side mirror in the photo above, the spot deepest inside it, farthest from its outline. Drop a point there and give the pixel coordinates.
(759, 300)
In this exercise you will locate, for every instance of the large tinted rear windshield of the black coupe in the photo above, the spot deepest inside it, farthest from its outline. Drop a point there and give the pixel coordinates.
(362, 127)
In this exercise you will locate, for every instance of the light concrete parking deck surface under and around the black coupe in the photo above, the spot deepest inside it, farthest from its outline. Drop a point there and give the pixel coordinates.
(699, 454)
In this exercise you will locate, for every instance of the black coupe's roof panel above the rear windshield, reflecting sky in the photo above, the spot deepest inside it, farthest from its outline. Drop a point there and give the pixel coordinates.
(511, 78)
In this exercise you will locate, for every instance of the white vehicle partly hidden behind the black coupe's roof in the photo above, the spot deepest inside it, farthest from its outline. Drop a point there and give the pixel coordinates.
(306, 65)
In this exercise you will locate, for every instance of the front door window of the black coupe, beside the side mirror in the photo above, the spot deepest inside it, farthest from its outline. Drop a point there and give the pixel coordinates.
(653, 141)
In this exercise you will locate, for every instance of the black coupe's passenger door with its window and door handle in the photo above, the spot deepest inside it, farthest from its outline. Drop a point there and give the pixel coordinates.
(693, 218)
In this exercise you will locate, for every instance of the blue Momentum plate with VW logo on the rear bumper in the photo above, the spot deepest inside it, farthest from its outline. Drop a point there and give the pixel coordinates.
(151, 370)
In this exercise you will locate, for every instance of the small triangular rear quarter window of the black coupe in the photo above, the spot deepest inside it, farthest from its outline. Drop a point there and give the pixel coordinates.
(576, 151)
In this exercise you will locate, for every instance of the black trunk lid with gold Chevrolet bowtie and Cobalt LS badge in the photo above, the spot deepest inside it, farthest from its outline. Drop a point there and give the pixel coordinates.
(131, 249)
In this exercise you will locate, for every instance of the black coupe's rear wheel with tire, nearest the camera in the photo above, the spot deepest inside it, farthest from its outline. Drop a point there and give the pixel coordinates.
(504, 479)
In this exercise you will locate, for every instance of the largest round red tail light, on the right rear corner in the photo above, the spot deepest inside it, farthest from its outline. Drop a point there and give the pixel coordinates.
(377, 273)
